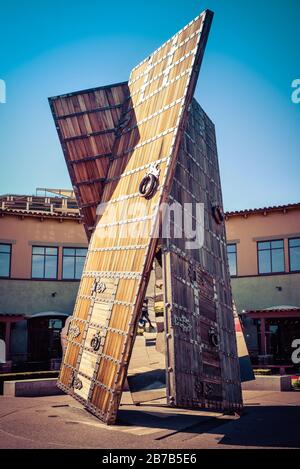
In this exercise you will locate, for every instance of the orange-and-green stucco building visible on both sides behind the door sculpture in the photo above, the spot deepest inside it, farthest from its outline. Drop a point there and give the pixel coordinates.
(42, 250)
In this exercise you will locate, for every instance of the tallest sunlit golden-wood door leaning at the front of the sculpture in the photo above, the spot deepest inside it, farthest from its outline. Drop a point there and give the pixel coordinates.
(150, 129)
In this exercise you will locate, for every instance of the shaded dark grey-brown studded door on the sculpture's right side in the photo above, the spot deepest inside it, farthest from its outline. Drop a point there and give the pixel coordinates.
(198, 296)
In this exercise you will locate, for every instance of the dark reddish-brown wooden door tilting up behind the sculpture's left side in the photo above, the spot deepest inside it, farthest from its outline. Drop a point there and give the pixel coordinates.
(86, 123)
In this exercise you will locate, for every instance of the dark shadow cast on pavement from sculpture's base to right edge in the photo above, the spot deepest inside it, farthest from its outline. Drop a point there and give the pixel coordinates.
(258, 426)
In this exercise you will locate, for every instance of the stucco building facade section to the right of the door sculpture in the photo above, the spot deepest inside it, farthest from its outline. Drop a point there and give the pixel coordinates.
(264, 257)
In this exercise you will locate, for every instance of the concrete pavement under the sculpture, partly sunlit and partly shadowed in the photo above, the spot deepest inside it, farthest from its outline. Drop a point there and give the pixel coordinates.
(270, 420)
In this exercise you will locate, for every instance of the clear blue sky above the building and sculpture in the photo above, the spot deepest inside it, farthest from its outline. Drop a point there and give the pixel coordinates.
(56, 46)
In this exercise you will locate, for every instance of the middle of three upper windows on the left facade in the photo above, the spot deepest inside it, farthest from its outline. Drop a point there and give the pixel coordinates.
(44, 262)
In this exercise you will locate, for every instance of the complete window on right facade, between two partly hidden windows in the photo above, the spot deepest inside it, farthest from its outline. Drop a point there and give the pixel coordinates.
(270, 256)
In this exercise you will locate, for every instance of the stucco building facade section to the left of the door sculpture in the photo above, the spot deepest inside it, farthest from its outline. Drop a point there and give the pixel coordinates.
(42, 249)
